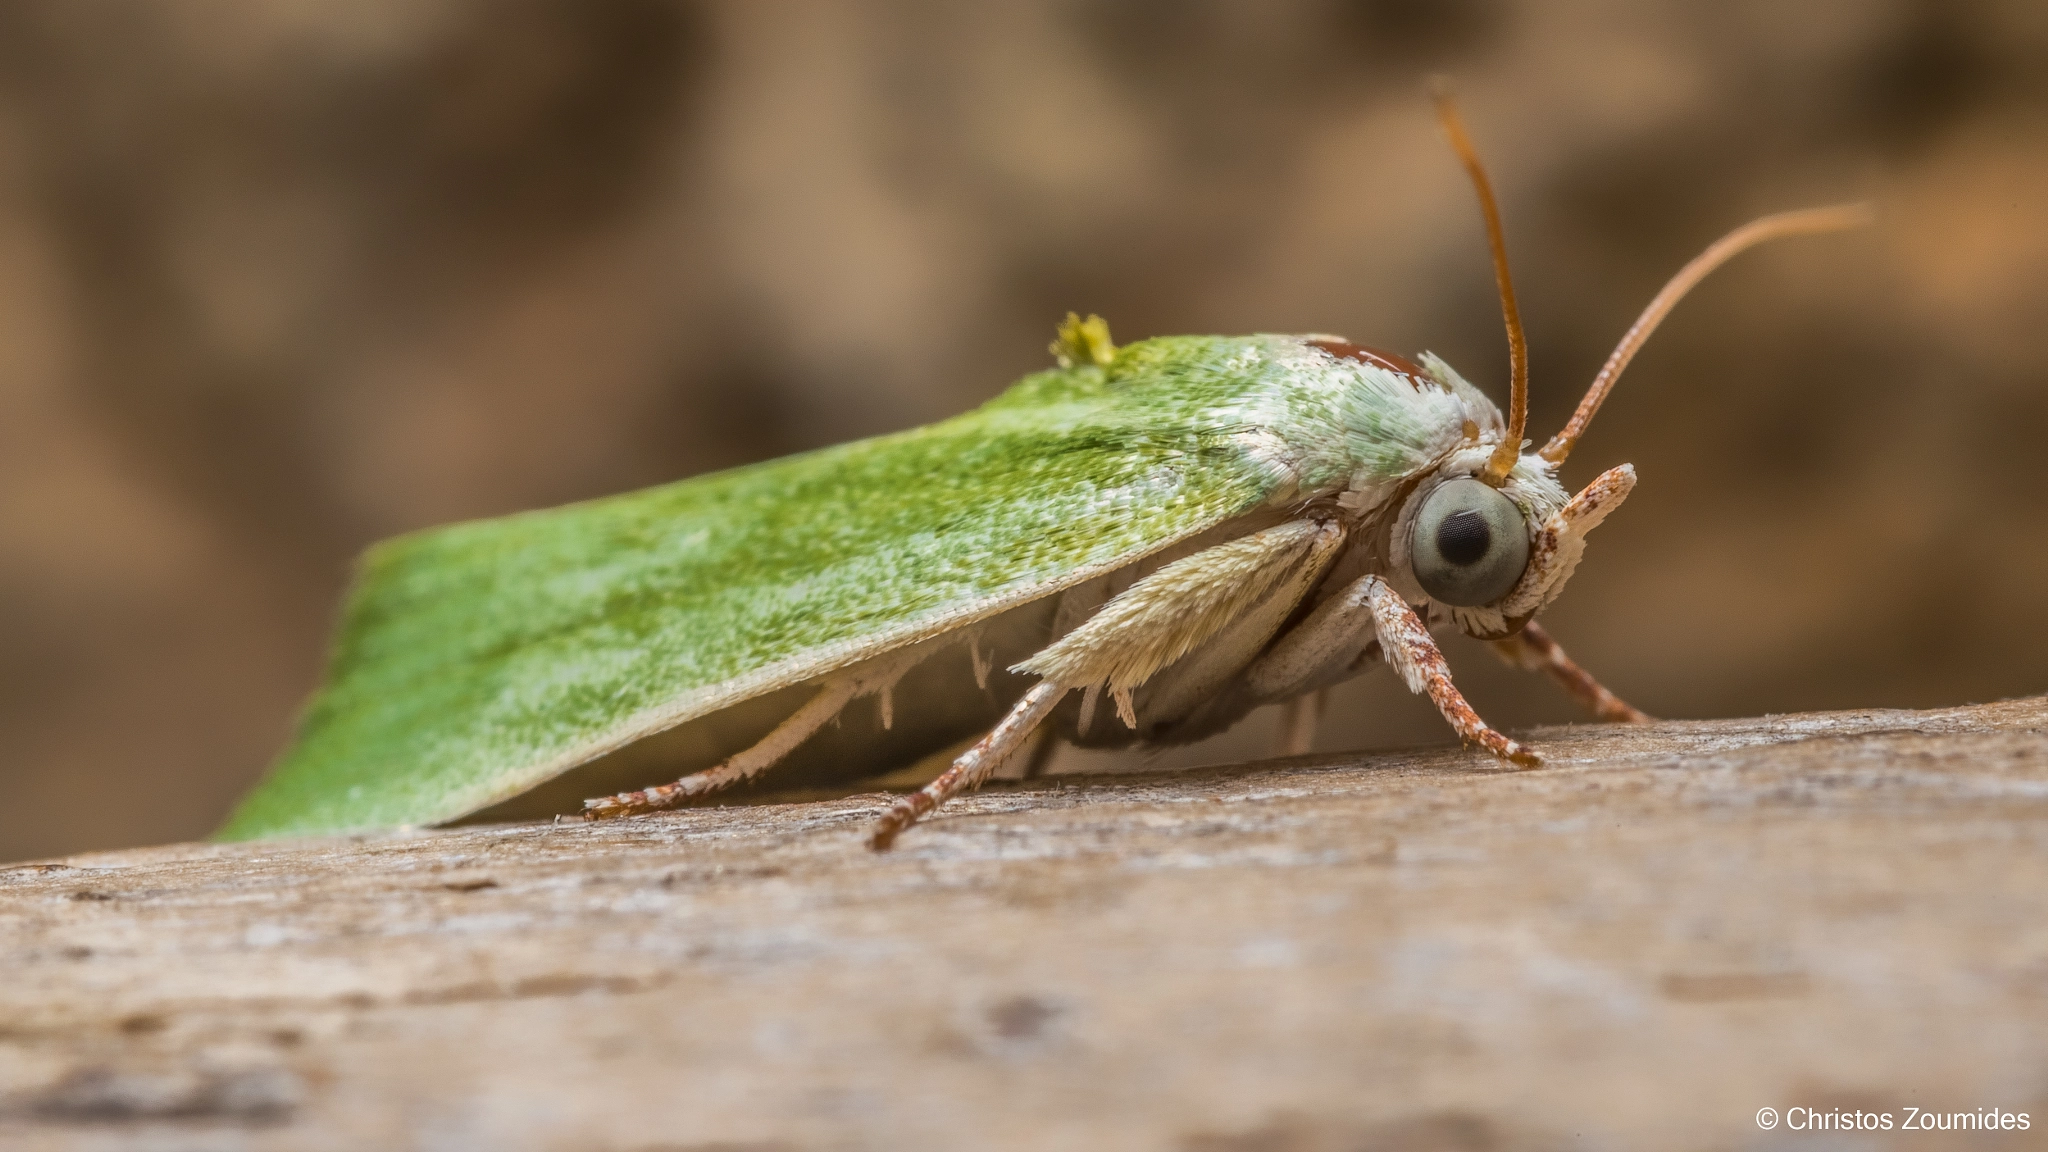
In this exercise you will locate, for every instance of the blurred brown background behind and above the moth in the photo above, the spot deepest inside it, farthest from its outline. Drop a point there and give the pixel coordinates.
(282, 278)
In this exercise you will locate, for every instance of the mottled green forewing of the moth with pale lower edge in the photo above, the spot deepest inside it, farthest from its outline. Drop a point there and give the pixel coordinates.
(480, 659)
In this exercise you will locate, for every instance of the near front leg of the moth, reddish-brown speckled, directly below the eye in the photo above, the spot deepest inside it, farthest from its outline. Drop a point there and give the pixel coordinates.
(1369, 608)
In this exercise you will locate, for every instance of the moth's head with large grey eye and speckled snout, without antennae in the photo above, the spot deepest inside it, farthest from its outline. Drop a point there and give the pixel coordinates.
(1494, 554)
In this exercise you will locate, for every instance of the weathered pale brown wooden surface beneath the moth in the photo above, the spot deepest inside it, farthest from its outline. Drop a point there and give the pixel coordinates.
(1635, 948)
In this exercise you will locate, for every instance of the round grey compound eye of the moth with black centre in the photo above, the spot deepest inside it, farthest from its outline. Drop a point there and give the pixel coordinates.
(1469, 544)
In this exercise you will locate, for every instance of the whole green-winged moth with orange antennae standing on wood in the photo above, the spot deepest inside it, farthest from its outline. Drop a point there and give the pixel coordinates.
(1136, 546)
